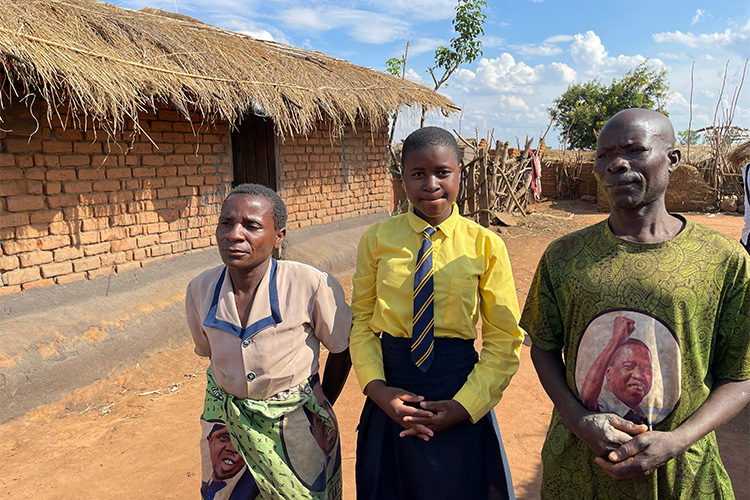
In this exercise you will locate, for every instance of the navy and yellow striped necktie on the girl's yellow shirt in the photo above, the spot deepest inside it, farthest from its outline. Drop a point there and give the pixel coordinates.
(424, 316)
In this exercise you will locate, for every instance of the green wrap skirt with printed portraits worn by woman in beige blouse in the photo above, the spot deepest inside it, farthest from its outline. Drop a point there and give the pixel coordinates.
(284, 447)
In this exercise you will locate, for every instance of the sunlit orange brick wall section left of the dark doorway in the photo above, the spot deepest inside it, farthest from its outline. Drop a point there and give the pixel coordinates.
(78, 205)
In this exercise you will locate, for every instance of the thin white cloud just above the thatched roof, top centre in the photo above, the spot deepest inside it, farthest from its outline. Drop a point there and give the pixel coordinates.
(364, 26)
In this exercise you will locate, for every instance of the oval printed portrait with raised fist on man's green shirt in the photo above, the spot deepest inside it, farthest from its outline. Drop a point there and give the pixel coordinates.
(629, 363)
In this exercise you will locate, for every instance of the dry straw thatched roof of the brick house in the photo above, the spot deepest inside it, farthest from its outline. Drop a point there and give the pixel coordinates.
(109, 63)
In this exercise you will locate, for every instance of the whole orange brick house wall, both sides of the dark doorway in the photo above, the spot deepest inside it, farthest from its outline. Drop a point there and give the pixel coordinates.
(77, 204)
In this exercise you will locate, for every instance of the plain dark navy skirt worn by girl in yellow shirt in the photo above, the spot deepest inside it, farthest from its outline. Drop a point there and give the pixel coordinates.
(466, 461)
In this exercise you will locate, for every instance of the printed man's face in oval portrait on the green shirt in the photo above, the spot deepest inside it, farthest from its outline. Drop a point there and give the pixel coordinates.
(629, 374)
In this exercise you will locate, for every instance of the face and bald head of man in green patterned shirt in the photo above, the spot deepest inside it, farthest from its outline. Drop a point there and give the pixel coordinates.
(634, 157)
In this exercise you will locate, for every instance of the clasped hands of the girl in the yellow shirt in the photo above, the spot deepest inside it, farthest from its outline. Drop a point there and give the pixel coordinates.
(423, 421)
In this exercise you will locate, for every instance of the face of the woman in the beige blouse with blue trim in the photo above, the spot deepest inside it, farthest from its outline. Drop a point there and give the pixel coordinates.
(245, 234)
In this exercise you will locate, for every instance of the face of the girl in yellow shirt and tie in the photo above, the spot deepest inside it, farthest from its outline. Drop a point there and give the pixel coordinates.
(431, 180)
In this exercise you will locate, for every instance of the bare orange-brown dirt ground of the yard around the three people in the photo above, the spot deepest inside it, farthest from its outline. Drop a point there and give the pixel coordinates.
(136, 433)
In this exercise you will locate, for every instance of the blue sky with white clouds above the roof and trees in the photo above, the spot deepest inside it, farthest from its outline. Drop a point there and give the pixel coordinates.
(533, 49)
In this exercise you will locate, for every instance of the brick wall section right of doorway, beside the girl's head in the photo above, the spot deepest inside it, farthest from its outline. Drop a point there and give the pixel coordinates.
(324, 180)
